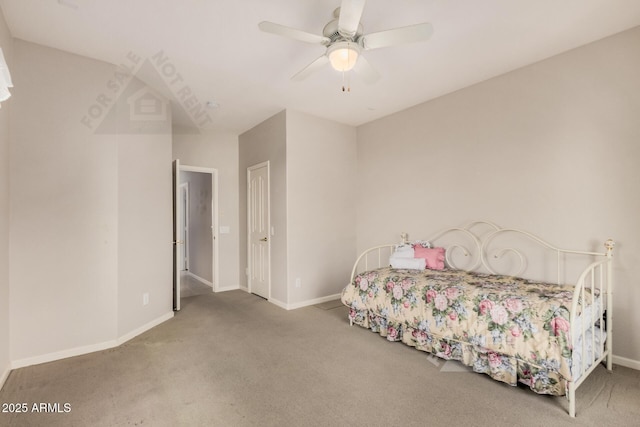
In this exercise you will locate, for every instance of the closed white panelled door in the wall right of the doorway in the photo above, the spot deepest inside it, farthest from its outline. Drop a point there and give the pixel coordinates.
(258, 256)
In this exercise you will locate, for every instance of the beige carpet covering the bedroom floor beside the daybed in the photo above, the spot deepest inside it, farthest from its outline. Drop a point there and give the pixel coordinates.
(233, 359)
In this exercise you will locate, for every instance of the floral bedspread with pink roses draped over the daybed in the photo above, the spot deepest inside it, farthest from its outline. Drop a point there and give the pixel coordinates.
(510, 328)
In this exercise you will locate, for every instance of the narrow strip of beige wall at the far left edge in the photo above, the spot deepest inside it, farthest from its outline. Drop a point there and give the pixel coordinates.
(6, 43)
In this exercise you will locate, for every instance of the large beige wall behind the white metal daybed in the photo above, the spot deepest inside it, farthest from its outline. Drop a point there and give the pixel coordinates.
(552, 148)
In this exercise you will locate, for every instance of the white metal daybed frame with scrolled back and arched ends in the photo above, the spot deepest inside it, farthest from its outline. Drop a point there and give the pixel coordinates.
(479, 251)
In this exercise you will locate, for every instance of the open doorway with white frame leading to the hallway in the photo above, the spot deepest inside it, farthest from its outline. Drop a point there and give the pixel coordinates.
(197, 257)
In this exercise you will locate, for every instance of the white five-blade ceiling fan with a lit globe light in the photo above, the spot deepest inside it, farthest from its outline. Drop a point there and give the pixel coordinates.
(345, 41)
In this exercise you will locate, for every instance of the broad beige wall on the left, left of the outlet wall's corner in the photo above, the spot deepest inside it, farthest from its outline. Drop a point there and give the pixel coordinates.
(63, 207)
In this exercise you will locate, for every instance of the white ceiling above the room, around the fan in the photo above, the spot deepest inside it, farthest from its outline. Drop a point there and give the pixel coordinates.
(216, 47)
